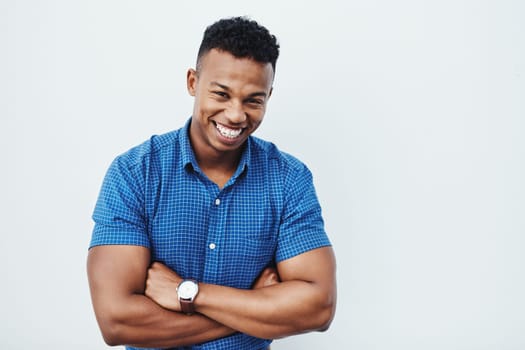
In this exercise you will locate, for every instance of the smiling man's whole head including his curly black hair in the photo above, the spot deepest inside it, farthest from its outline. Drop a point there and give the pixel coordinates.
(231, 85)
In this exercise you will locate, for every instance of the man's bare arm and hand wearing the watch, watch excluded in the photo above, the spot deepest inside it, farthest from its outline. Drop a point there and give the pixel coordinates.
(304, 300)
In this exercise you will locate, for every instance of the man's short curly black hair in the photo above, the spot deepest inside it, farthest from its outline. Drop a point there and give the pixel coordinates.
(243, 38)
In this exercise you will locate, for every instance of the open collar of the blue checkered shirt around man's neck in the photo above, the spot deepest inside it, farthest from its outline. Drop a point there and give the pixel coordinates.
(188, 156)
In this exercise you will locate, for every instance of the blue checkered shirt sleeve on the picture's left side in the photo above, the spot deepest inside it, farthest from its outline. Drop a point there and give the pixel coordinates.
(119, 213)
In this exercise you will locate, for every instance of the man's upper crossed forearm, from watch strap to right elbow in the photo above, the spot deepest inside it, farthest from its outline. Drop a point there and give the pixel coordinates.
(277, 311)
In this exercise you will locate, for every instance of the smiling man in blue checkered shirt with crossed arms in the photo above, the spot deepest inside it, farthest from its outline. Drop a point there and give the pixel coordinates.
(207, 237)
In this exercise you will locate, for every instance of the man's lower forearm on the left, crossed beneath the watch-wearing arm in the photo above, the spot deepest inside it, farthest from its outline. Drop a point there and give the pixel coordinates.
(140, 322)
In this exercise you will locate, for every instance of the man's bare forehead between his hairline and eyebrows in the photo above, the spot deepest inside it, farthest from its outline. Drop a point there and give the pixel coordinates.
(223, 66)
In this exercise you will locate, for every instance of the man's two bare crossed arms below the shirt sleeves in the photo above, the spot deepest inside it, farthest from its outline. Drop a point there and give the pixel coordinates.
(136, 303)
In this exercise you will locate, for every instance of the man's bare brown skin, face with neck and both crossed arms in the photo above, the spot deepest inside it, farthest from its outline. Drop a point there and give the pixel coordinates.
(135, 302)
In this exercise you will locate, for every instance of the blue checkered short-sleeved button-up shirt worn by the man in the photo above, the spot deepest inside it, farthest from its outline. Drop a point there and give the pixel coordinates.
(156, 196)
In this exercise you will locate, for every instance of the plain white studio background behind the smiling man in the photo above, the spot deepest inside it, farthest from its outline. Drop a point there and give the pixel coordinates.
(409, 113)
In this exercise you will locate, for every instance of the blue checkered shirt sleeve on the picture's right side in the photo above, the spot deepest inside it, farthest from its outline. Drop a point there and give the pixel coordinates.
(302, 225)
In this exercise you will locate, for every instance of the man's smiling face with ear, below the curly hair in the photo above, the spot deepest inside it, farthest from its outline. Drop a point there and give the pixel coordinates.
(230, 100)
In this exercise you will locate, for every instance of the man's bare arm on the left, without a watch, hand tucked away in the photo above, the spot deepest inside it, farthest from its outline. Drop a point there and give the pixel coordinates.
(117, 275)
